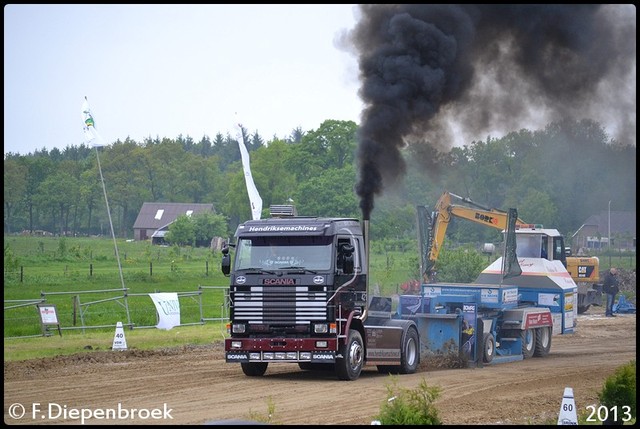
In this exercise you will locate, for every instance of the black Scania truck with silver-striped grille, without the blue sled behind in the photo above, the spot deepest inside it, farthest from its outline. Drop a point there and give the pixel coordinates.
(299, 294)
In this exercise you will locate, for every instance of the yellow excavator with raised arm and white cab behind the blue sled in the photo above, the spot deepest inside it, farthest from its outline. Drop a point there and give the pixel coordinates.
(532, 241)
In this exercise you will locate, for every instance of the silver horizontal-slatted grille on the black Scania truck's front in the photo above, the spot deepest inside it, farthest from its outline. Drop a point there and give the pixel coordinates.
(279, 305)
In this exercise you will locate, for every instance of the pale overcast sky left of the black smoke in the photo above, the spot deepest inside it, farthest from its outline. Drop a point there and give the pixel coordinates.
(171, 70)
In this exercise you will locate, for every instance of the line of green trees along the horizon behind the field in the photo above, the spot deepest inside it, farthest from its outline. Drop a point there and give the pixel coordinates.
(557, 176)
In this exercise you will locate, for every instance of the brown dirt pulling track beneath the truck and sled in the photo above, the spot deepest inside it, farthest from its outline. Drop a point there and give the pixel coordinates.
(198, 387)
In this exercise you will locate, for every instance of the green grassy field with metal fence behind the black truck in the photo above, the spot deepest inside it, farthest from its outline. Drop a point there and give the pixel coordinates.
(65, 272)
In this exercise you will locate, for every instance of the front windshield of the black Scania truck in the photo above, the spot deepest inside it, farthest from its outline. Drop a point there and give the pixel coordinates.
(273, 253)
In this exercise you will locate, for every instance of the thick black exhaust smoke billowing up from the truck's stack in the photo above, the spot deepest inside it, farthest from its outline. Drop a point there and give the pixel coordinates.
(429, 72)
